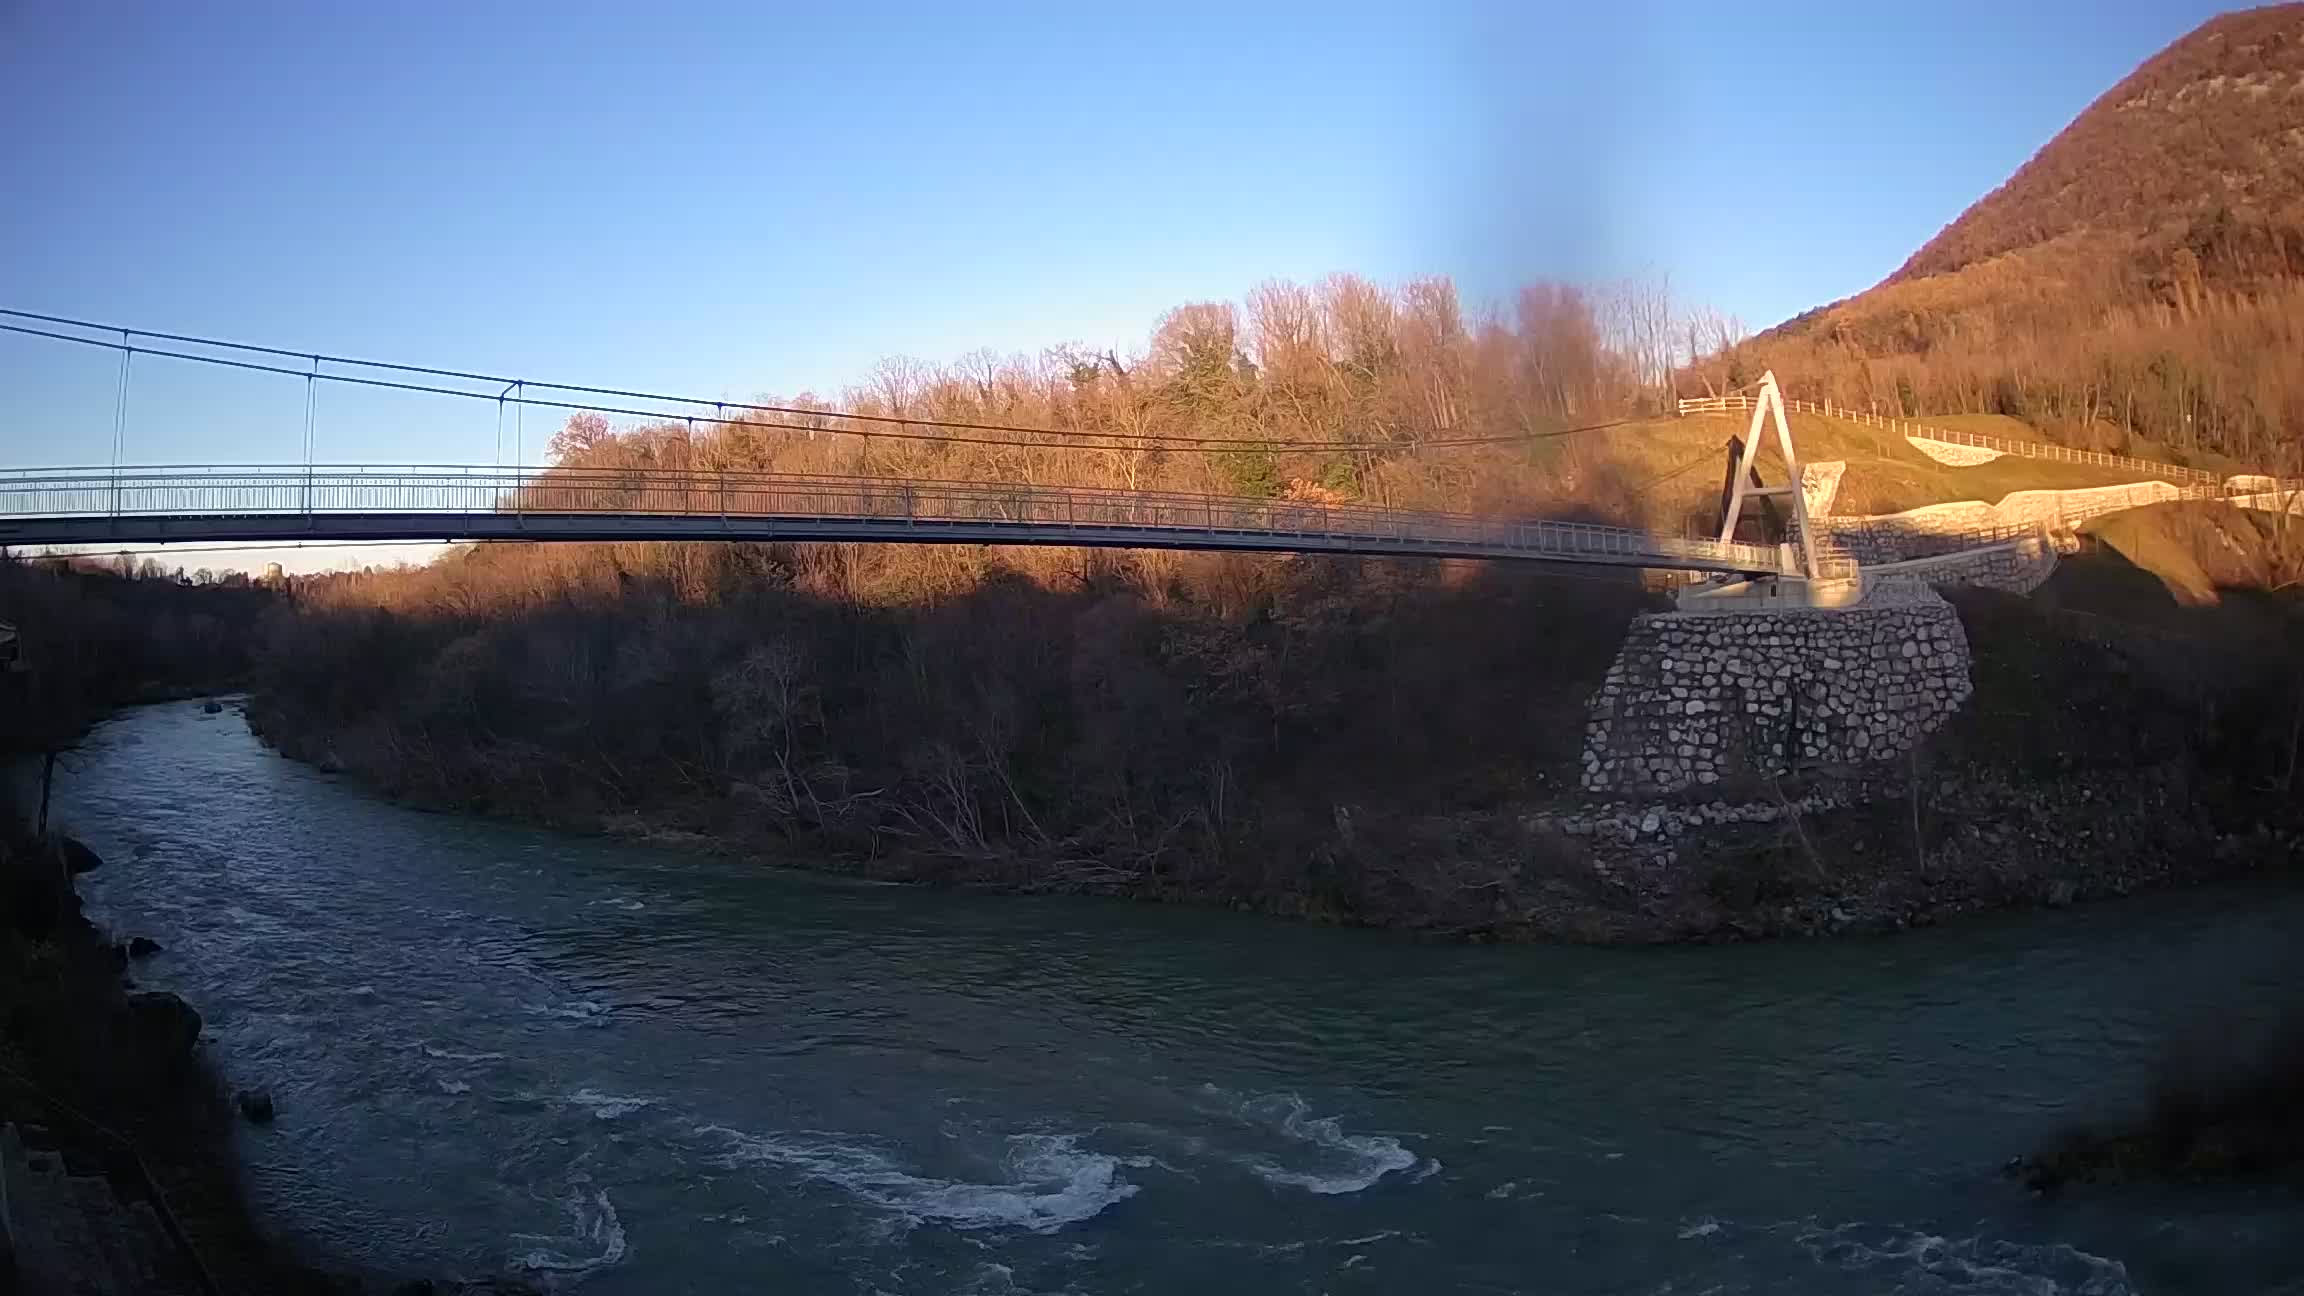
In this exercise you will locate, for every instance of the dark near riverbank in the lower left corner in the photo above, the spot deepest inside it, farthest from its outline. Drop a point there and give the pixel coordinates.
(119, 1150)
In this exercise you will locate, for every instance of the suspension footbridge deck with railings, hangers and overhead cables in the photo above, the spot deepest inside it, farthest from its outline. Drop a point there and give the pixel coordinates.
(294, 504)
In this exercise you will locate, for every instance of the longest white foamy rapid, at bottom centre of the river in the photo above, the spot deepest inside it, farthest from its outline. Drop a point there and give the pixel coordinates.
(1049, 1180)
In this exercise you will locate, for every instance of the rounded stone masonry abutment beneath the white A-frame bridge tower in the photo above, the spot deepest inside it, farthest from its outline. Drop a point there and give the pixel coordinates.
(1699, 698)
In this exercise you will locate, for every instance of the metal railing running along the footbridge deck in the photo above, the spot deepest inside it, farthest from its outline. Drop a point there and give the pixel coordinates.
(75, 506)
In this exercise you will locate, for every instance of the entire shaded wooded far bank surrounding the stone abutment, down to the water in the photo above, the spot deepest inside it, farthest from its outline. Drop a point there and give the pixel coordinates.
(1349, 741)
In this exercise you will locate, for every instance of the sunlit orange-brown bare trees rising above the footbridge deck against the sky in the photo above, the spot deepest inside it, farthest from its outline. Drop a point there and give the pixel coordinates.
(1326, 393)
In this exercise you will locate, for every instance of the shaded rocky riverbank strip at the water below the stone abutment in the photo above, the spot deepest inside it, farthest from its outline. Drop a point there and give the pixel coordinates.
(1884, 854)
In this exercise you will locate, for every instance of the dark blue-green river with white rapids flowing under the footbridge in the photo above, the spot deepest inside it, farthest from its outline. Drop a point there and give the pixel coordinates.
(646, 1071)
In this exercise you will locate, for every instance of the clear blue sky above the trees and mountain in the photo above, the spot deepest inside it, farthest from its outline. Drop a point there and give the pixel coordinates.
(738, 199)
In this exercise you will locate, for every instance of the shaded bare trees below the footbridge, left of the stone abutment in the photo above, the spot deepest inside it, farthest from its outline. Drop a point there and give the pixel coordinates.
(1213, 728)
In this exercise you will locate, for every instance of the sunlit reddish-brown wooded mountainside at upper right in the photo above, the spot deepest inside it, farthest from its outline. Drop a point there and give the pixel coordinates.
(2142, 280)
